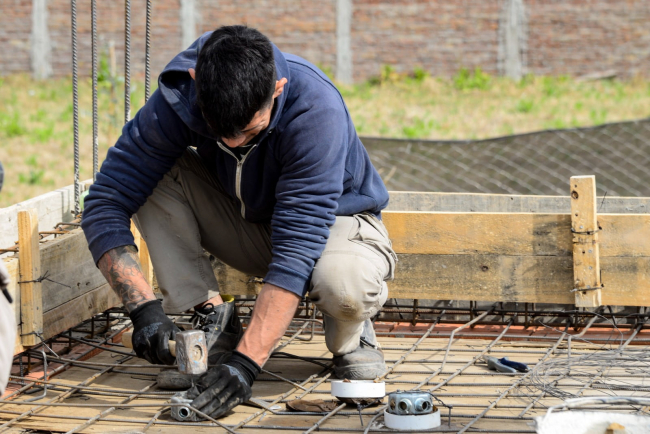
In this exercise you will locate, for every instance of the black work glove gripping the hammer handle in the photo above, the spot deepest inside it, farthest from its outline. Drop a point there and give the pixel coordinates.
(152, 330)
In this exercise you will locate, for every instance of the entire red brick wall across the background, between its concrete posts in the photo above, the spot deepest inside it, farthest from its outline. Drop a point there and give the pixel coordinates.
(564, 36)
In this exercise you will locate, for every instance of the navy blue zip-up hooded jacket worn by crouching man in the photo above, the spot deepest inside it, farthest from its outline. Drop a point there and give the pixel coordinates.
(308, 166)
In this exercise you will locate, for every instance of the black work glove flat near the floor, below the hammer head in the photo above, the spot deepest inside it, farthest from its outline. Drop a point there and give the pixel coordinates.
(225, 386)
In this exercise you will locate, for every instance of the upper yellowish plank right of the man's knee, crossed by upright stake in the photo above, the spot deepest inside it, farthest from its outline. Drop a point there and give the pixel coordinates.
(511, 234)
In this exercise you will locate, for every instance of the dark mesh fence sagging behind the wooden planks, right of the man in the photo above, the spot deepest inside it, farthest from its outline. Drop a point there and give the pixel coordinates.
(538, 163)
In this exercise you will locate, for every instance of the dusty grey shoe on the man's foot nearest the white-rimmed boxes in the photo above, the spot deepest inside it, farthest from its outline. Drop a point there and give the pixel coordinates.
(364, 363)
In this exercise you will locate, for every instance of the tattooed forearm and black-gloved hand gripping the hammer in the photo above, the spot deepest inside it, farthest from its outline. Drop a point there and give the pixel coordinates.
(152, 329)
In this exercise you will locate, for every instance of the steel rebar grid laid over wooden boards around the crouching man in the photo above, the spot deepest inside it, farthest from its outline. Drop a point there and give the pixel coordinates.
(446, 364)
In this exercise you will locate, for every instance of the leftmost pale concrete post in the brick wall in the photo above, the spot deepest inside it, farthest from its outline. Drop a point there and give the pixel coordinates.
(40, 49)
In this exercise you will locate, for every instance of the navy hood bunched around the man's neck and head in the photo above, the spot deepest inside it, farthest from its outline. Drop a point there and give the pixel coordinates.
(178, 89)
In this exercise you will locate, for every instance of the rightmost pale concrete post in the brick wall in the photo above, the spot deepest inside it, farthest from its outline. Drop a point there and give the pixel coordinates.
(513, 34)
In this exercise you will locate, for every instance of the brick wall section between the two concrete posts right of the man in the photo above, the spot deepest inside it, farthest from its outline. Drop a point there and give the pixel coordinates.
(439, 36)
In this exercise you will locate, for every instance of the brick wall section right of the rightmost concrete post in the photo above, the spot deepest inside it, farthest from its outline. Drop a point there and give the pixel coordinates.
(582, 36)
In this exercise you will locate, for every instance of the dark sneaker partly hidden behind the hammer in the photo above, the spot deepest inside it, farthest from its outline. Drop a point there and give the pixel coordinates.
(223, 330)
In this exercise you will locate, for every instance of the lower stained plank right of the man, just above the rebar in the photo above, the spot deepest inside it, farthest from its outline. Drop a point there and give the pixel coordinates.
(529, 279)
